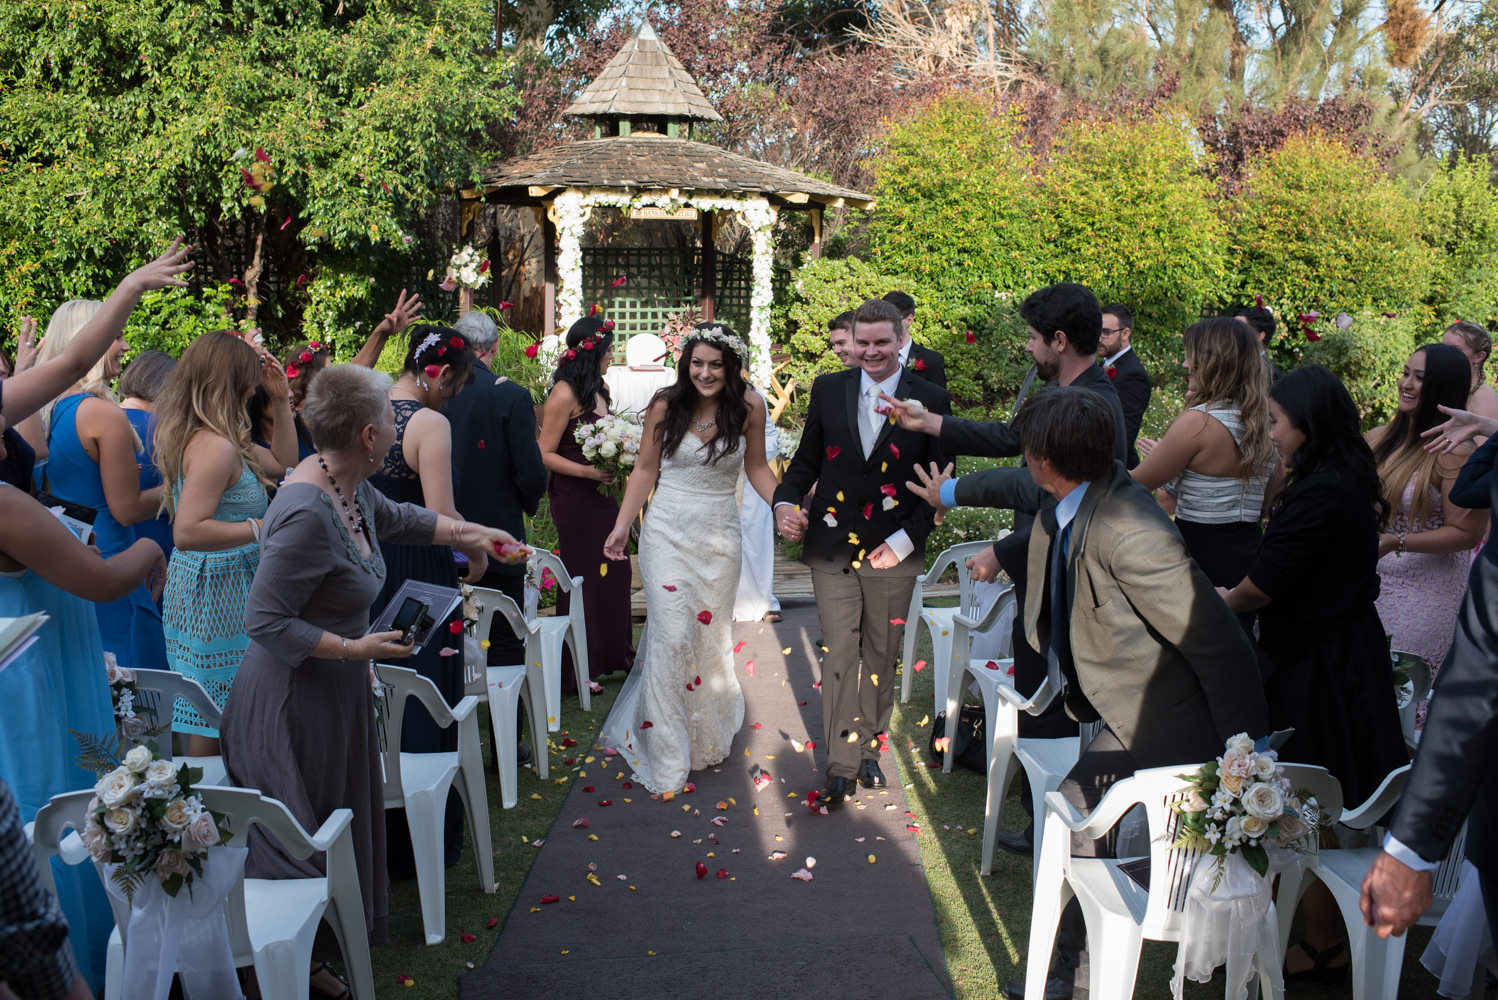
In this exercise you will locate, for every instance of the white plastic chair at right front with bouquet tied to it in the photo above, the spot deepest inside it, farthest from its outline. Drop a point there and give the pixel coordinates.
(1120, 912)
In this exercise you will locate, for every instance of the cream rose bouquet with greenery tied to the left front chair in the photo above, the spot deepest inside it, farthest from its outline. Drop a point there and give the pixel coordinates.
(146, 820)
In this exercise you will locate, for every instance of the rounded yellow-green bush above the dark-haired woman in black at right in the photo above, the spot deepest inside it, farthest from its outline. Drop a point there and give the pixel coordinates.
(1322, 230)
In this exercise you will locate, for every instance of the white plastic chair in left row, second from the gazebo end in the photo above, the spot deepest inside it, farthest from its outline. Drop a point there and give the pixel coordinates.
(507, 689)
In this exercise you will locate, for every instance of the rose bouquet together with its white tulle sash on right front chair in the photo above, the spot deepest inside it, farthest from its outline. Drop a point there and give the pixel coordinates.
(1249, 824)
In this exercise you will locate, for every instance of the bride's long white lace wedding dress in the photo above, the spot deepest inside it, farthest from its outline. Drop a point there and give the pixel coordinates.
(682, 704)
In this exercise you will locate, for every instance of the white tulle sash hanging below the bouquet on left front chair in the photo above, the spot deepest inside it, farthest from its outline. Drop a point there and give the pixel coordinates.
(187, 935)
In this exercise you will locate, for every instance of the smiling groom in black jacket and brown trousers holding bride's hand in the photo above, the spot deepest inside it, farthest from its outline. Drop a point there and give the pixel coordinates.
(865, 537)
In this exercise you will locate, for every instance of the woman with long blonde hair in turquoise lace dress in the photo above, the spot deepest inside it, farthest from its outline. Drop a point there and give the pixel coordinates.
(216, 480)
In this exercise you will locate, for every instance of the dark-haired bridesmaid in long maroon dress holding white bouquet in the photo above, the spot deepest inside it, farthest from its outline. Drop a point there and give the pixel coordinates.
(582, 510)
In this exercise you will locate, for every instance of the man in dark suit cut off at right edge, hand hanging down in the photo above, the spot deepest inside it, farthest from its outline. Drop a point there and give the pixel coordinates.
(1452, 779)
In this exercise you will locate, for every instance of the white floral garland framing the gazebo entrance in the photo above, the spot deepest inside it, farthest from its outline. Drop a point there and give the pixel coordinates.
(573, 207)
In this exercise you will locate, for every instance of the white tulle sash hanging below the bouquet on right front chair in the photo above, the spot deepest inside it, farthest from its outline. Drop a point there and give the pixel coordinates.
(1229, 926)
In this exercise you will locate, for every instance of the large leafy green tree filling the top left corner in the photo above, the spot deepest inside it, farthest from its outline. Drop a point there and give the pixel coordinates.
(300, 144)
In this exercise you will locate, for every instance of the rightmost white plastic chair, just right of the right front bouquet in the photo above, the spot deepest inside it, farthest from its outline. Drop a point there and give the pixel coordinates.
(1376, 962)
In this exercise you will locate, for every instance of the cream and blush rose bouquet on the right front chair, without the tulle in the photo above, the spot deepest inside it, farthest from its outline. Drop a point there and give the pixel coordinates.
(1244, 805)
